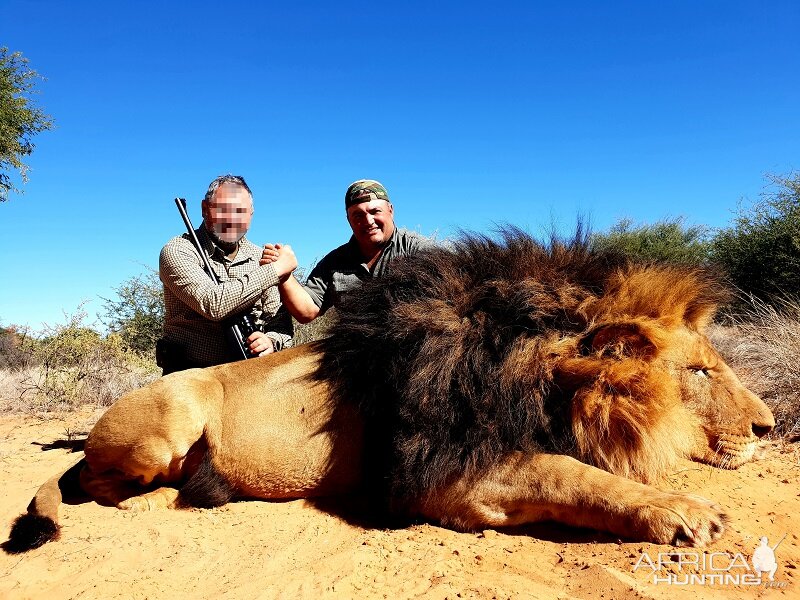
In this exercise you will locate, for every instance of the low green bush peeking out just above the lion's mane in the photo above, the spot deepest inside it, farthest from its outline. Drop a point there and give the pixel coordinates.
(667, 240)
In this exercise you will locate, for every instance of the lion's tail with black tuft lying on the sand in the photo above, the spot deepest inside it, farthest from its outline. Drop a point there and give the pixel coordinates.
(40, 524)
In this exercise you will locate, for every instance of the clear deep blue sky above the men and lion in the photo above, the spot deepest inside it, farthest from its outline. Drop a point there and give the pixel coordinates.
(471, 114)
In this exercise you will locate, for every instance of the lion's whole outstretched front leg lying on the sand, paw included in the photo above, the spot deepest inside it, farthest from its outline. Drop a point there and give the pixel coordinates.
(546, 487)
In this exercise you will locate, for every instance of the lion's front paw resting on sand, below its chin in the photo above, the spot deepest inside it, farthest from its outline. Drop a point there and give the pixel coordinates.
(681, 520)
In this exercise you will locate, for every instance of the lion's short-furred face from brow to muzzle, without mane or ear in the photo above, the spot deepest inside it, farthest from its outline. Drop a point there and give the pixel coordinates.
(730, 418)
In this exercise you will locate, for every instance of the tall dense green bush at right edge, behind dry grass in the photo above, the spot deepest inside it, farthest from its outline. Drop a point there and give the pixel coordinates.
(761, 252)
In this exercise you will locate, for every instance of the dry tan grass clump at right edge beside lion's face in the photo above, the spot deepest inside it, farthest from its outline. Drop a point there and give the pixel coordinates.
(763, 347)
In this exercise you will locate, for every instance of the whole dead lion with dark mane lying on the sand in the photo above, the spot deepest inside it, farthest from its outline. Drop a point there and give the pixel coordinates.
(488, 384)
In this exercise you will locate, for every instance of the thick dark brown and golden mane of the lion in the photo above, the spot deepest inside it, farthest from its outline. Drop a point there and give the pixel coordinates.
(463, 354)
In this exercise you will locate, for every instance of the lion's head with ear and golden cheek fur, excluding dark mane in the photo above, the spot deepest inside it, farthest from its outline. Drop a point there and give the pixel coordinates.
(648, 392)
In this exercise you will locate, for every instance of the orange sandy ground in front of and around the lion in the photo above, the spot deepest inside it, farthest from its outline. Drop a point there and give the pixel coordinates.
(296, 550)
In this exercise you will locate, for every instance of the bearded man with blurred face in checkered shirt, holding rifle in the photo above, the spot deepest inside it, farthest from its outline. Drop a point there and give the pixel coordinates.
(197, 308)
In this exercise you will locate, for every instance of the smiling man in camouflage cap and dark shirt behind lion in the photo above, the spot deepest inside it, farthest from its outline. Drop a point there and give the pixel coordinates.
(374, 243)
